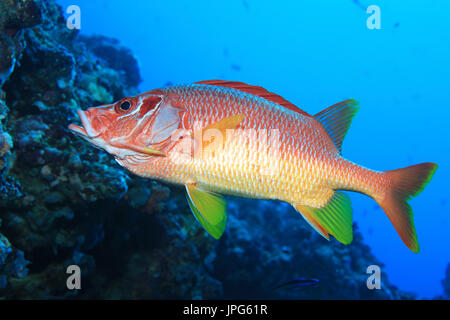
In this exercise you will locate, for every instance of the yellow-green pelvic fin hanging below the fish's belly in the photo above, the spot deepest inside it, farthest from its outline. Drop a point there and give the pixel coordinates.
(209, 209)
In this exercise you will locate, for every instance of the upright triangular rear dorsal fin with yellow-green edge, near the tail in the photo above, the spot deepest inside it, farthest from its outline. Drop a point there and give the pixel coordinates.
(337, 120)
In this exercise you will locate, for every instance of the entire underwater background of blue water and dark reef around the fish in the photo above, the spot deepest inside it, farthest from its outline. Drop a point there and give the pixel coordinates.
(64, 202)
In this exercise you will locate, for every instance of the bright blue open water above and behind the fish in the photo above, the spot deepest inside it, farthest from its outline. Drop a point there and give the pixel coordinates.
(315, 54)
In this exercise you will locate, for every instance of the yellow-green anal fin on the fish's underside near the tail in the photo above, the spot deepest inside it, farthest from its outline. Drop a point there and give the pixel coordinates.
(334, 218)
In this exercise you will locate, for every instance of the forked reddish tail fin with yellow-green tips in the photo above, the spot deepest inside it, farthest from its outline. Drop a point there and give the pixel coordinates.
(404, 184)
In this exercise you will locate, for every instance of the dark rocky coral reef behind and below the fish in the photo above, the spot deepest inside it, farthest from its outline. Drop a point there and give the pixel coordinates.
(63, 202)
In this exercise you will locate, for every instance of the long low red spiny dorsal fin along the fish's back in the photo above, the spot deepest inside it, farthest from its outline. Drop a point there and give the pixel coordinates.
(257, 91)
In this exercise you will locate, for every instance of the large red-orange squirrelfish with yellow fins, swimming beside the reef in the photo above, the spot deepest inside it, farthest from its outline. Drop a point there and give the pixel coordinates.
(226, 138)
